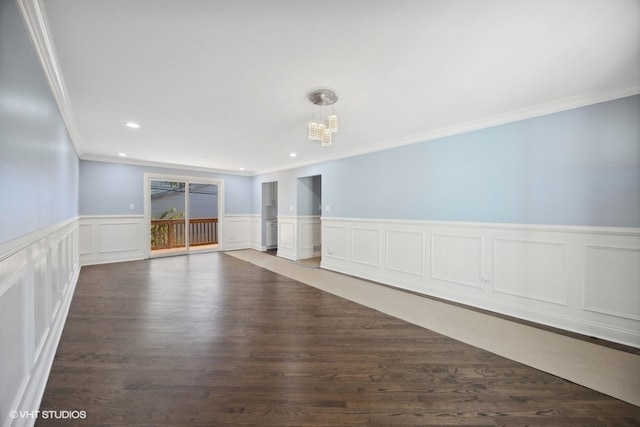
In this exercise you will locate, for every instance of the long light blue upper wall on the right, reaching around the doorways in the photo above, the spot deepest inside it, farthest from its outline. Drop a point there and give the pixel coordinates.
(577, 167)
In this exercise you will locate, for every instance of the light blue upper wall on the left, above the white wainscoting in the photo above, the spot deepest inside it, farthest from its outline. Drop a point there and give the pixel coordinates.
(38, 163)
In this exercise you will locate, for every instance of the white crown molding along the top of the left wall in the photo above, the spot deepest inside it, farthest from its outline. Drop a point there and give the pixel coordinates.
(34, 16)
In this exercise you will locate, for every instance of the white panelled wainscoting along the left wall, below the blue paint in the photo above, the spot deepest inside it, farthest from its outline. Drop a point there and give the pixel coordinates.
(38, 274)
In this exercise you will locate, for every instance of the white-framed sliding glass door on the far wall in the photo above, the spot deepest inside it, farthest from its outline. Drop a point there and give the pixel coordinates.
(183, 215)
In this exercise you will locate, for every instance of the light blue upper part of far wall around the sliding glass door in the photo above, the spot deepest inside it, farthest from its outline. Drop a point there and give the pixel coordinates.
(109, 188)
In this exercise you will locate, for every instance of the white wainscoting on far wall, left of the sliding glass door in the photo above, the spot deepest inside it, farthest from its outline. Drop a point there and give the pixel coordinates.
(112, 238)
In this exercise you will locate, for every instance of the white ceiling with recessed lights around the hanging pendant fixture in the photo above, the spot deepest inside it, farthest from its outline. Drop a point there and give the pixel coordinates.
(223, 84)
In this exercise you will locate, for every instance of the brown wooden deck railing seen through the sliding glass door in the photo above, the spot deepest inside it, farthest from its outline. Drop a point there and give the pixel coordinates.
(170, 233)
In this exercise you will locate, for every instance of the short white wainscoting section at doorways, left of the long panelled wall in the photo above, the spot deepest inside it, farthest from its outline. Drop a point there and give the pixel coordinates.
(299, 237)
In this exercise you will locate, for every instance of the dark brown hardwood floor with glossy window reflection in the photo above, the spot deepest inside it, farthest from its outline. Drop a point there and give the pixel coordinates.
(209, 340)
